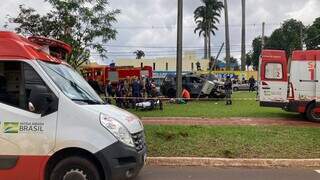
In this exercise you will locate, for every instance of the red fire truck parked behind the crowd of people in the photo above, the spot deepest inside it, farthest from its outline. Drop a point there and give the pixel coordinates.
(103, 74)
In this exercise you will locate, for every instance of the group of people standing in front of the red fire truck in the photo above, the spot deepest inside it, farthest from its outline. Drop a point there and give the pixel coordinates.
(130, 91)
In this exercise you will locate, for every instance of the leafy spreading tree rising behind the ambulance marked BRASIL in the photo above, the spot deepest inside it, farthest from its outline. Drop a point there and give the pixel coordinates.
(84, 24)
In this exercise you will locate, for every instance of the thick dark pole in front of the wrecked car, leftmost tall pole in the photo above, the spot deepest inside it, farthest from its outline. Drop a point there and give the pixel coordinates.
(179, 48)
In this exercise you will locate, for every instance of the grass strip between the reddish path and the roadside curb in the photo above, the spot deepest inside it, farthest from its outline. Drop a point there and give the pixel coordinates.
(233, 142)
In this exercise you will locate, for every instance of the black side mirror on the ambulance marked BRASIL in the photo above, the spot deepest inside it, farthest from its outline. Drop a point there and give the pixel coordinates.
(40, 99)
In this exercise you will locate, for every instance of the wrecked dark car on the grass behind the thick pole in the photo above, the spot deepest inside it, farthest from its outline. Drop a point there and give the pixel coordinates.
(192, 83)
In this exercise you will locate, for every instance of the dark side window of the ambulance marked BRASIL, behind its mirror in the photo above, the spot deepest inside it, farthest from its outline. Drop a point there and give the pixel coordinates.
(21, 85)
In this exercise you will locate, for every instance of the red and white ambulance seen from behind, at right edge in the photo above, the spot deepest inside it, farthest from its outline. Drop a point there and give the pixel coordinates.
(292, 85)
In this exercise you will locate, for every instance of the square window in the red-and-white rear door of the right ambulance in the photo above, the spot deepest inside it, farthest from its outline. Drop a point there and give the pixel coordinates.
(274, 71)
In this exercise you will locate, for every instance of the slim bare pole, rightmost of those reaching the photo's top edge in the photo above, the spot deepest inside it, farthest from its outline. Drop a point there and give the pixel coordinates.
(243, 37)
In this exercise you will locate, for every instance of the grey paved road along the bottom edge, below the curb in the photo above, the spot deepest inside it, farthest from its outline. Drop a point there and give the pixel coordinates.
(200, 173)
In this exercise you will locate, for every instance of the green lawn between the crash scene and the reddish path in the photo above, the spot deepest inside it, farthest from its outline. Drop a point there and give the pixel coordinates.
(218, 109)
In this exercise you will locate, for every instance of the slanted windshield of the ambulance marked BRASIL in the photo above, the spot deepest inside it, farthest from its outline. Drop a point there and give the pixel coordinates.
(71, 83)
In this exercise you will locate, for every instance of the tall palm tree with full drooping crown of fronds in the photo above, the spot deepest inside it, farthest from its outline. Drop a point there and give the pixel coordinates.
(206, 17)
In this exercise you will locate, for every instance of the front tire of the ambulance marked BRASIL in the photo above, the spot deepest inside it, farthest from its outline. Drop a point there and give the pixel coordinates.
(75, 168)
